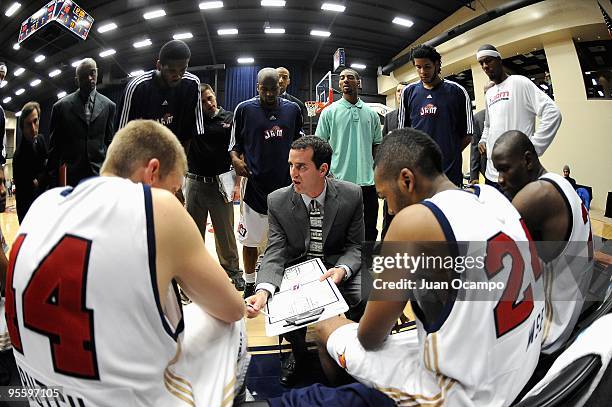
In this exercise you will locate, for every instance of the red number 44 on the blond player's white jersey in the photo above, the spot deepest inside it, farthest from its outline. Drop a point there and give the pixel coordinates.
(54, 305)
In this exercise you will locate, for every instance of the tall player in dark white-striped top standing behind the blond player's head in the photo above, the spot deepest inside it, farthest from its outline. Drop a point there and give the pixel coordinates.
(169, 94)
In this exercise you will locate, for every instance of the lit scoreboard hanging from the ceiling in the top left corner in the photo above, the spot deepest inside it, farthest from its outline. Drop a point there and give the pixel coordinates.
(64, 12)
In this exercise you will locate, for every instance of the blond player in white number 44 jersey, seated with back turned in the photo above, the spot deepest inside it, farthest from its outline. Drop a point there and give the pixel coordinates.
(92, 301)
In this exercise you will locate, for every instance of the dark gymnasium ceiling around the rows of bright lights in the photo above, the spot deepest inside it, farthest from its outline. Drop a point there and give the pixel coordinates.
(364, 29)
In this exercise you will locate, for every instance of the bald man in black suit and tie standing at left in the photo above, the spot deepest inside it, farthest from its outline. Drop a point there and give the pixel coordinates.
(82, 127)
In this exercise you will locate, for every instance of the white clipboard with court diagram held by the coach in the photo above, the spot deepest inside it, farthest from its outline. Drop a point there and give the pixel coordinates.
(303, 299)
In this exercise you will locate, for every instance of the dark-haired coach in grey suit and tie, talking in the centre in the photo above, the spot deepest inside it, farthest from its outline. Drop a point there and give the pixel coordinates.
(315, 217)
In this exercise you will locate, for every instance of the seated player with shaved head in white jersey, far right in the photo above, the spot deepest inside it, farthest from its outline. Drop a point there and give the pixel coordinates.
(559, 222)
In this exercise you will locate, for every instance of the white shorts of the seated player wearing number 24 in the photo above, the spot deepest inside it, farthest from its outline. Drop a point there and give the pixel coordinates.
(394, 369)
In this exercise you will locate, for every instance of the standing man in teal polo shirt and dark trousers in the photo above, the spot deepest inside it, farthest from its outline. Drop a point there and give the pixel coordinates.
(353, 130)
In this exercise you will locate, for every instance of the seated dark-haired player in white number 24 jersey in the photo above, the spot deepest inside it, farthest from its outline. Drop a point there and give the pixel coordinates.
(469, 348)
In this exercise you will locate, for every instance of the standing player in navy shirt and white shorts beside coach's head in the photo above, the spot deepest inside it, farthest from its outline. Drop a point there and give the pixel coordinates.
(264, 128)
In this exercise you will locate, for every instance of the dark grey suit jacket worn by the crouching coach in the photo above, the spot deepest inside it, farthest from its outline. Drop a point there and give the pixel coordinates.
(289, 236)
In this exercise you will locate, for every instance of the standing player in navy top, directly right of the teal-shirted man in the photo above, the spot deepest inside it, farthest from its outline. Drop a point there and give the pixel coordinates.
(440, 108)
